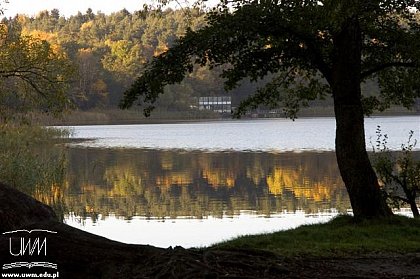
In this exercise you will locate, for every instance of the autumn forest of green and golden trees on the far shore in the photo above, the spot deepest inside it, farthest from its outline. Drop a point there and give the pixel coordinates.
(107, 52)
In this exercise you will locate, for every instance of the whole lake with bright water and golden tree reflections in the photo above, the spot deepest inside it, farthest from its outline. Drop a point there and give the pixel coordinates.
(195, 184)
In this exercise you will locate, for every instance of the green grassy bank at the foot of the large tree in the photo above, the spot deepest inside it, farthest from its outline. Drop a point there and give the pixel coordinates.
(340, 237)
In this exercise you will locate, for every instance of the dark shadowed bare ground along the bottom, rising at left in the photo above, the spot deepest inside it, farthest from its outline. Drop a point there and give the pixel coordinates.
(83, 255)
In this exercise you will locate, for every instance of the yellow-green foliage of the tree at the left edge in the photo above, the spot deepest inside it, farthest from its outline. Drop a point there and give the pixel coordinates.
(33, 72)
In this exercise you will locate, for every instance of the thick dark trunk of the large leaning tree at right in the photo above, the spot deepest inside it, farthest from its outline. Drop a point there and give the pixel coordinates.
(353, 161)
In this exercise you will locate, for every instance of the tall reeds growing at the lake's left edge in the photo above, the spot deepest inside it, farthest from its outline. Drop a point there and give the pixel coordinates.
(30, 162)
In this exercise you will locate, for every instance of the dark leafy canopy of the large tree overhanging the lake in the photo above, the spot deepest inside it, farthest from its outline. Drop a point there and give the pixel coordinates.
(295, 42)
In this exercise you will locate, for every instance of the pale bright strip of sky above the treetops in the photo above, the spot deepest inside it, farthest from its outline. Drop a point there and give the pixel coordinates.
(69, 7)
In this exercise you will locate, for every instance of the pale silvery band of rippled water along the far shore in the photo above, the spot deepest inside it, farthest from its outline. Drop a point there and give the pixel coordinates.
(270, 135)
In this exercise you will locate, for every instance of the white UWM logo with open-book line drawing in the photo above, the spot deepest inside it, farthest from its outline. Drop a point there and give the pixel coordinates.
(28, 246)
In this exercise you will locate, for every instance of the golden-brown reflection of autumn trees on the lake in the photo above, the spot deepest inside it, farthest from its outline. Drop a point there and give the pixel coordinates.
(171, 184)
